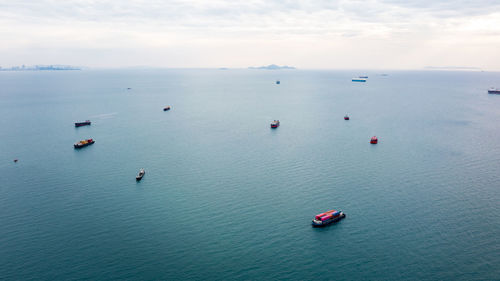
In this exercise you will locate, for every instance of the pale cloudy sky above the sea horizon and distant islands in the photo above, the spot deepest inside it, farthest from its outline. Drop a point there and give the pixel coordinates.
(307, 34)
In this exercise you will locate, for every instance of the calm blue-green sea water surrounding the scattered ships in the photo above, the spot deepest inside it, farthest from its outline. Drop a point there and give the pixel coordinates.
(225, 197)
